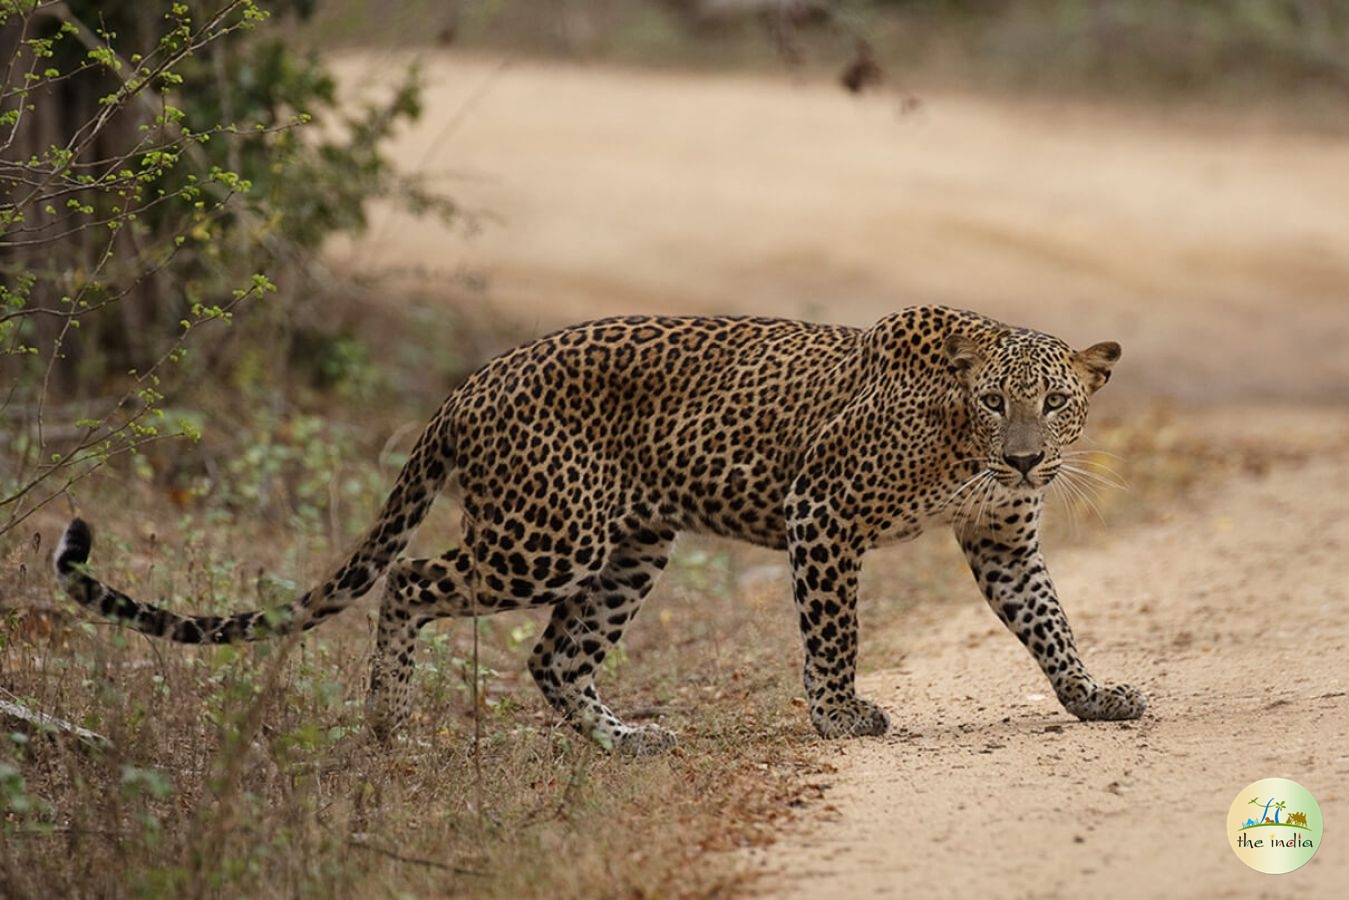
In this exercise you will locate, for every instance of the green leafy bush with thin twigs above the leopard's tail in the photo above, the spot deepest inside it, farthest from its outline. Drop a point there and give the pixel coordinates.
(159, 179)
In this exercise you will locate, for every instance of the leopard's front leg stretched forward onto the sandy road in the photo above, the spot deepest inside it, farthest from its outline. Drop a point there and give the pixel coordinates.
(1004, 557)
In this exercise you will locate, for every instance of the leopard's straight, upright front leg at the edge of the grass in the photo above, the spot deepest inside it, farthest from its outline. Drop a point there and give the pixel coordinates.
(826, 562)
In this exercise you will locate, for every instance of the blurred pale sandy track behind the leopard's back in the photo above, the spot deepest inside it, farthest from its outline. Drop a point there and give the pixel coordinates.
(1197, 245)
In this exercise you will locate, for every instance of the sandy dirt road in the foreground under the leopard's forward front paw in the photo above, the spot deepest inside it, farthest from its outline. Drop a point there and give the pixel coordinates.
(1232, 617)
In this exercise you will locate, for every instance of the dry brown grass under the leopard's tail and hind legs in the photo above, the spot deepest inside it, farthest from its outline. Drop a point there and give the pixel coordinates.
(245, 771)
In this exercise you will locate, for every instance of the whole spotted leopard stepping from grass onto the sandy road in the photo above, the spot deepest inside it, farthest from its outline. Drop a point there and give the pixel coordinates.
(582, 455)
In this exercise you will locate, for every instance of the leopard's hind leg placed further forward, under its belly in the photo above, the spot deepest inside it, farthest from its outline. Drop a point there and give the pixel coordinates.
(586, 627)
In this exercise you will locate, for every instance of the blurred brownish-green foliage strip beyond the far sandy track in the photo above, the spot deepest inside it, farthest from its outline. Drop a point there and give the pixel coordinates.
(1219, 47)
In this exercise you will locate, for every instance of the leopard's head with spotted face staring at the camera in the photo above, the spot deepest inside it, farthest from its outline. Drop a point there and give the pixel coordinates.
(1027, 397)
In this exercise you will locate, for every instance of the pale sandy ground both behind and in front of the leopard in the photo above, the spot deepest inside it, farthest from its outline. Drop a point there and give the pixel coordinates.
(1215, 250)
